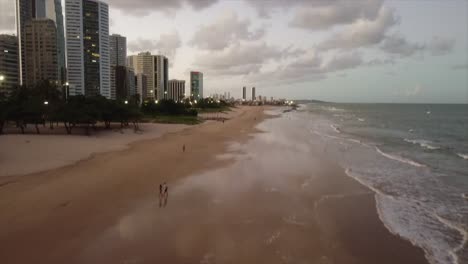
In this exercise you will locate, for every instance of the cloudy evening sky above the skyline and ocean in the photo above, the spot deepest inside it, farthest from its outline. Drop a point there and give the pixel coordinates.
(406, 51)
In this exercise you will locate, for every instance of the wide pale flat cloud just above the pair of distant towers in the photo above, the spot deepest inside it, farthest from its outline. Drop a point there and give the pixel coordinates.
(240, 59)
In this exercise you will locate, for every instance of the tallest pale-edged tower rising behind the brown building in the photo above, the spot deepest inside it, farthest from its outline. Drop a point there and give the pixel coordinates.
(40, 9)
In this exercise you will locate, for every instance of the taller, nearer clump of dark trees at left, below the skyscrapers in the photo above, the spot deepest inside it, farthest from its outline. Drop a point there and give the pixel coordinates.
(46, 104)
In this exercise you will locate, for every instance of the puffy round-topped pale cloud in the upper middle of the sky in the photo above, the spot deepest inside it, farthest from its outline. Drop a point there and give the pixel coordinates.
(224, 31)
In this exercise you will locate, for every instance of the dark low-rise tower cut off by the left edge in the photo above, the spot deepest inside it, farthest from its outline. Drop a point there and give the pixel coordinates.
(9, 72)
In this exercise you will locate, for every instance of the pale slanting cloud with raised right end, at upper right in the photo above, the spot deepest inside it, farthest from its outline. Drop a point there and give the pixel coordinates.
(362, 33)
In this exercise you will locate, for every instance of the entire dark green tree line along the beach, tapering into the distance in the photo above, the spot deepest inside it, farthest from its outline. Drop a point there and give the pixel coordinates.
(46, 104)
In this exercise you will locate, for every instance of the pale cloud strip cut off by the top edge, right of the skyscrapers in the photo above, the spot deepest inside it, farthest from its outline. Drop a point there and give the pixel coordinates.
(145, 7)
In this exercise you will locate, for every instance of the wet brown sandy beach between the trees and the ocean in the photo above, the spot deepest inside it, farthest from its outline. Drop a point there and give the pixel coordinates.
(242, 192)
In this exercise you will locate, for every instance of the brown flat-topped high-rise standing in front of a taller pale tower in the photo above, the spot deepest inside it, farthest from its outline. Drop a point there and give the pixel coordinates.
(40, 50)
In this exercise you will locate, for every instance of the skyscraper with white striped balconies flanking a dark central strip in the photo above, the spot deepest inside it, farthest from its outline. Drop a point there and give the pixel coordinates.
(88, 47)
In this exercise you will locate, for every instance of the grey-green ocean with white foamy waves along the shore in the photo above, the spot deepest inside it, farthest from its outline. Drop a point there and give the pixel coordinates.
(415, 158)
